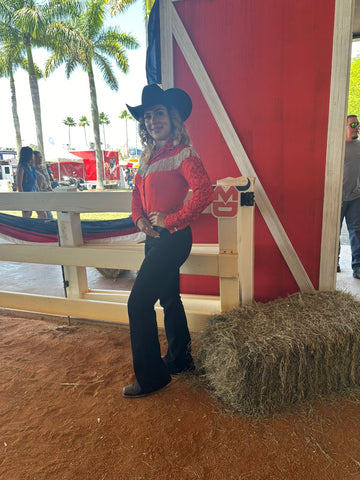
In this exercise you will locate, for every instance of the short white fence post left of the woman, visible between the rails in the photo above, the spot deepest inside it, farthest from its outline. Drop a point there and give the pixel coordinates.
(70, 234)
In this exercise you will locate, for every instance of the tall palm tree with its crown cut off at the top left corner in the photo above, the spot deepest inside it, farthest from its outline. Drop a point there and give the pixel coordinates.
(30, 21)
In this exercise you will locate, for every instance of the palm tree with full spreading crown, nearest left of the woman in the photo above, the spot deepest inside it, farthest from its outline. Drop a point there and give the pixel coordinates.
(89, 43)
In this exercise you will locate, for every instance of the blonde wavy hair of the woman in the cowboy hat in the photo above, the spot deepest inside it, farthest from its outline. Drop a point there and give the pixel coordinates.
(179, 135)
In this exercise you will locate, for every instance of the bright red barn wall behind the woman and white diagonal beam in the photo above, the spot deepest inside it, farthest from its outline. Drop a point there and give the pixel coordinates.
(270, 62)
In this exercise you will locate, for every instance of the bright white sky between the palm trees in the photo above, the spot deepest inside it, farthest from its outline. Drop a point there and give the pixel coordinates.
(61, 97)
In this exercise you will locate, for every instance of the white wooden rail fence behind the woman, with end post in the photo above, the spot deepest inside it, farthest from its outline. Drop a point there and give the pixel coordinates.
(231, 259)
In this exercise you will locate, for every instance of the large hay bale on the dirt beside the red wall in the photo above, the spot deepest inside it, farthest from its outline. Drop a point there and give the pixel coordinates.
(262, 357)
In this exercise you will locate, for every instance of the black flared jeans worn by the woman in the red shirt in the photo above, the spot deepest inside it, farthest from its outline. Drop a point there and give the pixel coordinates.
(158, 279)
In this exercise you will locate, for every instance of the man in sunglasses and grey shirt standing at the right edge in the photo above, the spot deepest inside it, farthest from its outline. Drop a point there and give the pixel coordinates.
(350, 208)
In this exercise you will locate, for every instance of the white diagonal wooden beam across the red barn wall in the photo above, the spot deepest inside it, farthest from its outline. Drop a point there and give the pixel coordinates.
(237, 150)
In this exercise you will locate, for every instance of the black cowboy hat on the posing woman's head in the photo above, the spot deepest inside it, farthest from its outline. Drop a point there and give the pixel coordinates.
(154, 95)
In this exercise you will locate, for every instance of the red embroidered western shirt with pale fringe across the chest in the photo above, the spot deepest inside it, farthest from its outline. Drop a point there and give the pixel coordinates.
(164, 182)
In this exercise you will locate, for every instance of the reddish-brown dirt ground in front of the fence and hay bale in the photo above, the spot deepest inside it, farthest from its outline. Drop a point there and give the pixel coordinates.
(63, 417)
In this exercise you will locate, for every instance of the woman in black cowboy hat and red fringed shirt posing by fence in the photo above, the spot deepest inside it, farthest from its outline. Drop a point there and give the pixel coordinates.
(168, 168)
